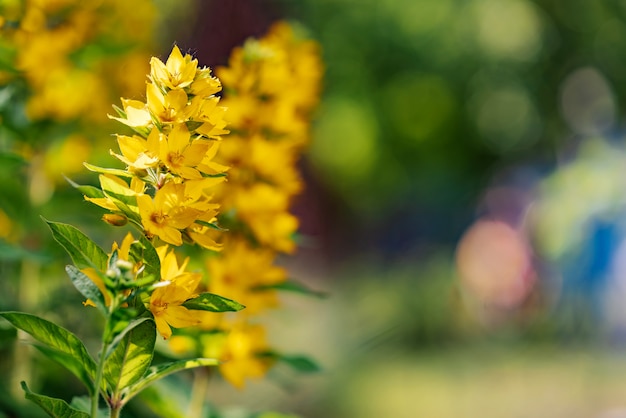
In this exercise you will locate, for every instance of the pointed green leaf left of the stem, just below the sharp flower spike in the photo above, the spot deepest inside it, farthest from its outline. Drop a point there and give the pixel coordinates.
(83, 251)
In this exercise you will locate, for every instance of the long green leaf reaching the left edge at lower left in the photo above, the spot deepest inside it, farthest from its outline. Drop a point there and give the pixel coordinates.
(71, 352)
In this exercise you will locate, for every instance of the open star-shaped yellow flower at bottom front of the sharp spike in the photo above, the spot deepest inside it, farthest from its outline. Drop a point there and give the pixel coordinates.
(168, 213)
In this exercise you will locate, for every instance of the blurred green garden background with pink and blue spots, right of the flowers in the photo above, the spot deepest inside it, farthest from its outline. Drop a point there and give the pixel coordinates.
(465, 206)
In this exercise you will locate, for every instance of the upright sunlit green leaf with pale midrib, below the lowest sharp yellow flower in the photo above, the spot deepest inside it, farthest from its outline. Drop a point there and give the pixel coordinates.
(131, 358)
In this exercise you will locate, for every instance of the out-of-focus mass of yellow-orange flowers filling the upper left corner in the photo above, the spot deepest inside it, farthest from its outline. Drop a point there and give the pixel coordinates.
(62, 62)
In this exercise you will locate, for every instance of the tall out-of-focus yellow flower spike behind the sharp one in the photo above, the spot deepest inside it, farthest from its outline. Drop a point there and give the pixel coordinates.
(271, 86)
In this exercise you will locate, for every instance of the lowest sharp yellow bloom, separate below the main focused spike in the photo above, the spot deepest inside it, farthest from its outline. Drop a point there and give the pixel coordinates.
(166, 301)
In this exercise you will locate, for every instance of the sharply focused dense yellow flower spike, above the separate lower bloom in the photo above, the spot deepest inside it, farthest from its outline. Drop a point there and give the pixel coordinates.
(169, 159)
